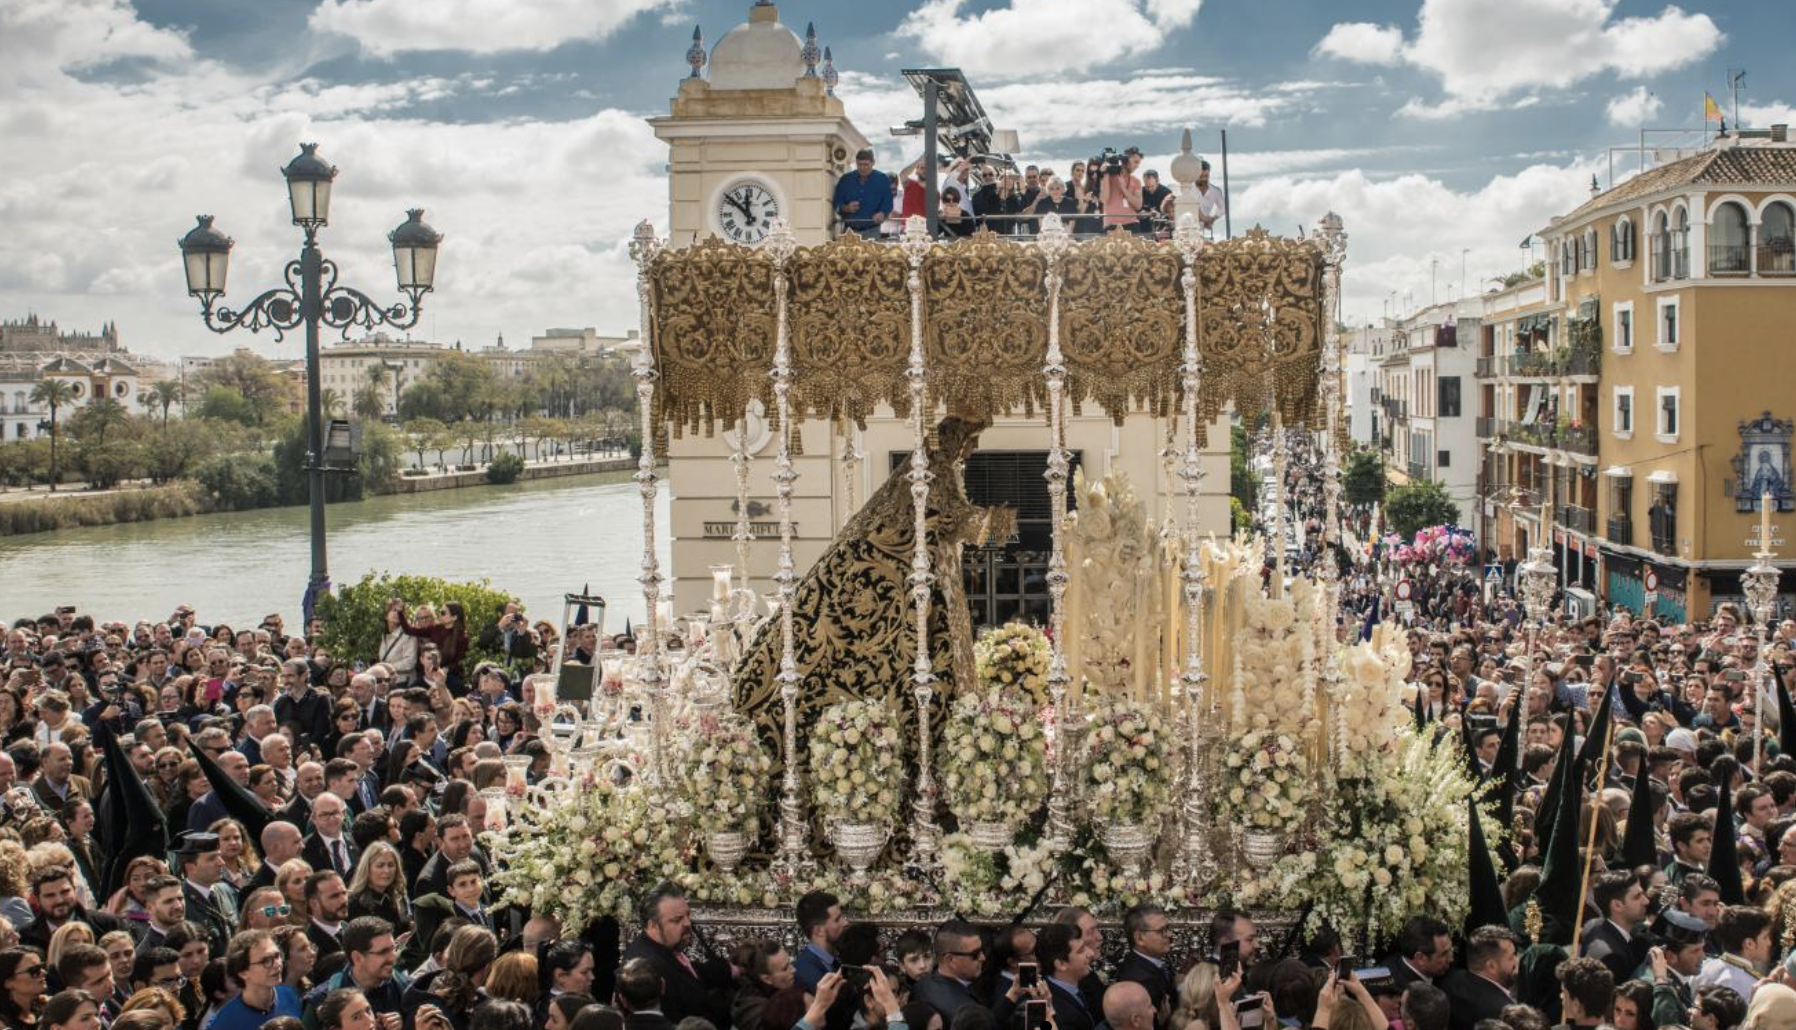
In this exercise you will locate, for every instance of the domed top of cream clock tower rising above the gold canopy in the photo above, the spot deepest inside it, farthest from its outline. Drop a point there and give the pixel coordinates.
(762, 138)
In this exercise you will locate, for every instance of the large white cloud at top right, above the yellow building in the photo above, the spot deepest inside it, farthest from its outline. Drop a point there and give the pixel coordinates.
(1490, 53)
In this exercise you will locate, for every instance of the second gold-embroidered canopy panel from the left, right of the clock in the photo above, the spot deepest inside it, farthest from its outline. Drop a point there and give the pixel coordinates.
(850, 335)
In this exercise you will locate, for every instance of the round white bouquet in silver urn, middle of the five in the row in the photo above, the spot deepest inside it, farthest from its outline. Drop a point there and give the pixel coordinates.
(994, 758)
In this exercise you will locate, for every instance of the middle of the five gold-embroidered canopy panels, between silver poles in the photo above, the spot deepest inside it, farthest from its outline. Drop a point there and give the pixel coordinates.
(985, 326)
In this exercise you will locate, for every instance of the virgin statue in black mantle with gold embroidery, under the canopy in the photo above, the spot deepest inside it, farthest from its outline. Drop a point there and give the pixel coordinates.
(854, 625)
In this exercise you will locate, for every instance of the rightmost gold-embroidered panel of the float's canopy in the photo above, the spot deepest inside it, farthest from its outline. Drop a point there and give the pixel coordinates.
(1260, 321)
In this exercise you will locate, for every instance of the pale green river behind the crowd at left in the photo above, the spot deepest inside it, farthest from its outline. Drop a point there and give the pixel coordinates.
(533, 540)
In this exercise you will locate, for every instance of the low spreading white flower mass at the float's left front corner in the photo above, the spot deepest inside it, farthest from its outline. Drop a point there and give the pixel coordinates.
(585, 853)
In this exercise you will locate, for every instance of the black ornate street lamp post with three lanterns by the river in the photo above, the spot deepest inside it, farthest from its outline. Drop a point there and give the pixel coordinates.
(312, 297)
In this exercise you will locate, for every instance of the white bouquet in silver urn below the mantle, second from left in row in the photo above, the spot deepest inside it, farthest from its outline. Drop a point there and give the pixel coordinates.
(856, 763)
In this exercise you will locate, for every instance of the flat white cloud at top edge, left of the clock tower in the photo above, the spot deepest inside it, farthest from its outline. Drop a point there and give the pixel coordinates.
(477, 26)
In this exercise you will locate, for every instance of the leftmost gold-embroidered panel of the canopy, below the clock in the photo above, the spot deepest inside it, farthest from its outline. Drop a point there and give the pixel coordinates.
(712, 326)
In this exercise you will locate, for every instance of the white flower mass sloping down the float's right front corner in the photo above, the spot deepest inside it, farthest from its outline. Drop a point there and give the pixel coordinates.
(1395, 846)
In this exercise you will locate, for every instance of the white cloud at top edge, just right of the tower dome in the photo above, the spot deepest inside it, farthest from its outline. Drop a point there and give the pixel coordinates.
(1043, 37)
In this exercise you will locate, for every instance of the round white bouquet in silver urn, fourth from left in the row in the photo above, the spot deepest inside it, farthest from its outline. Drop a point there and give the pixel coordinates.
(1129, 763)
